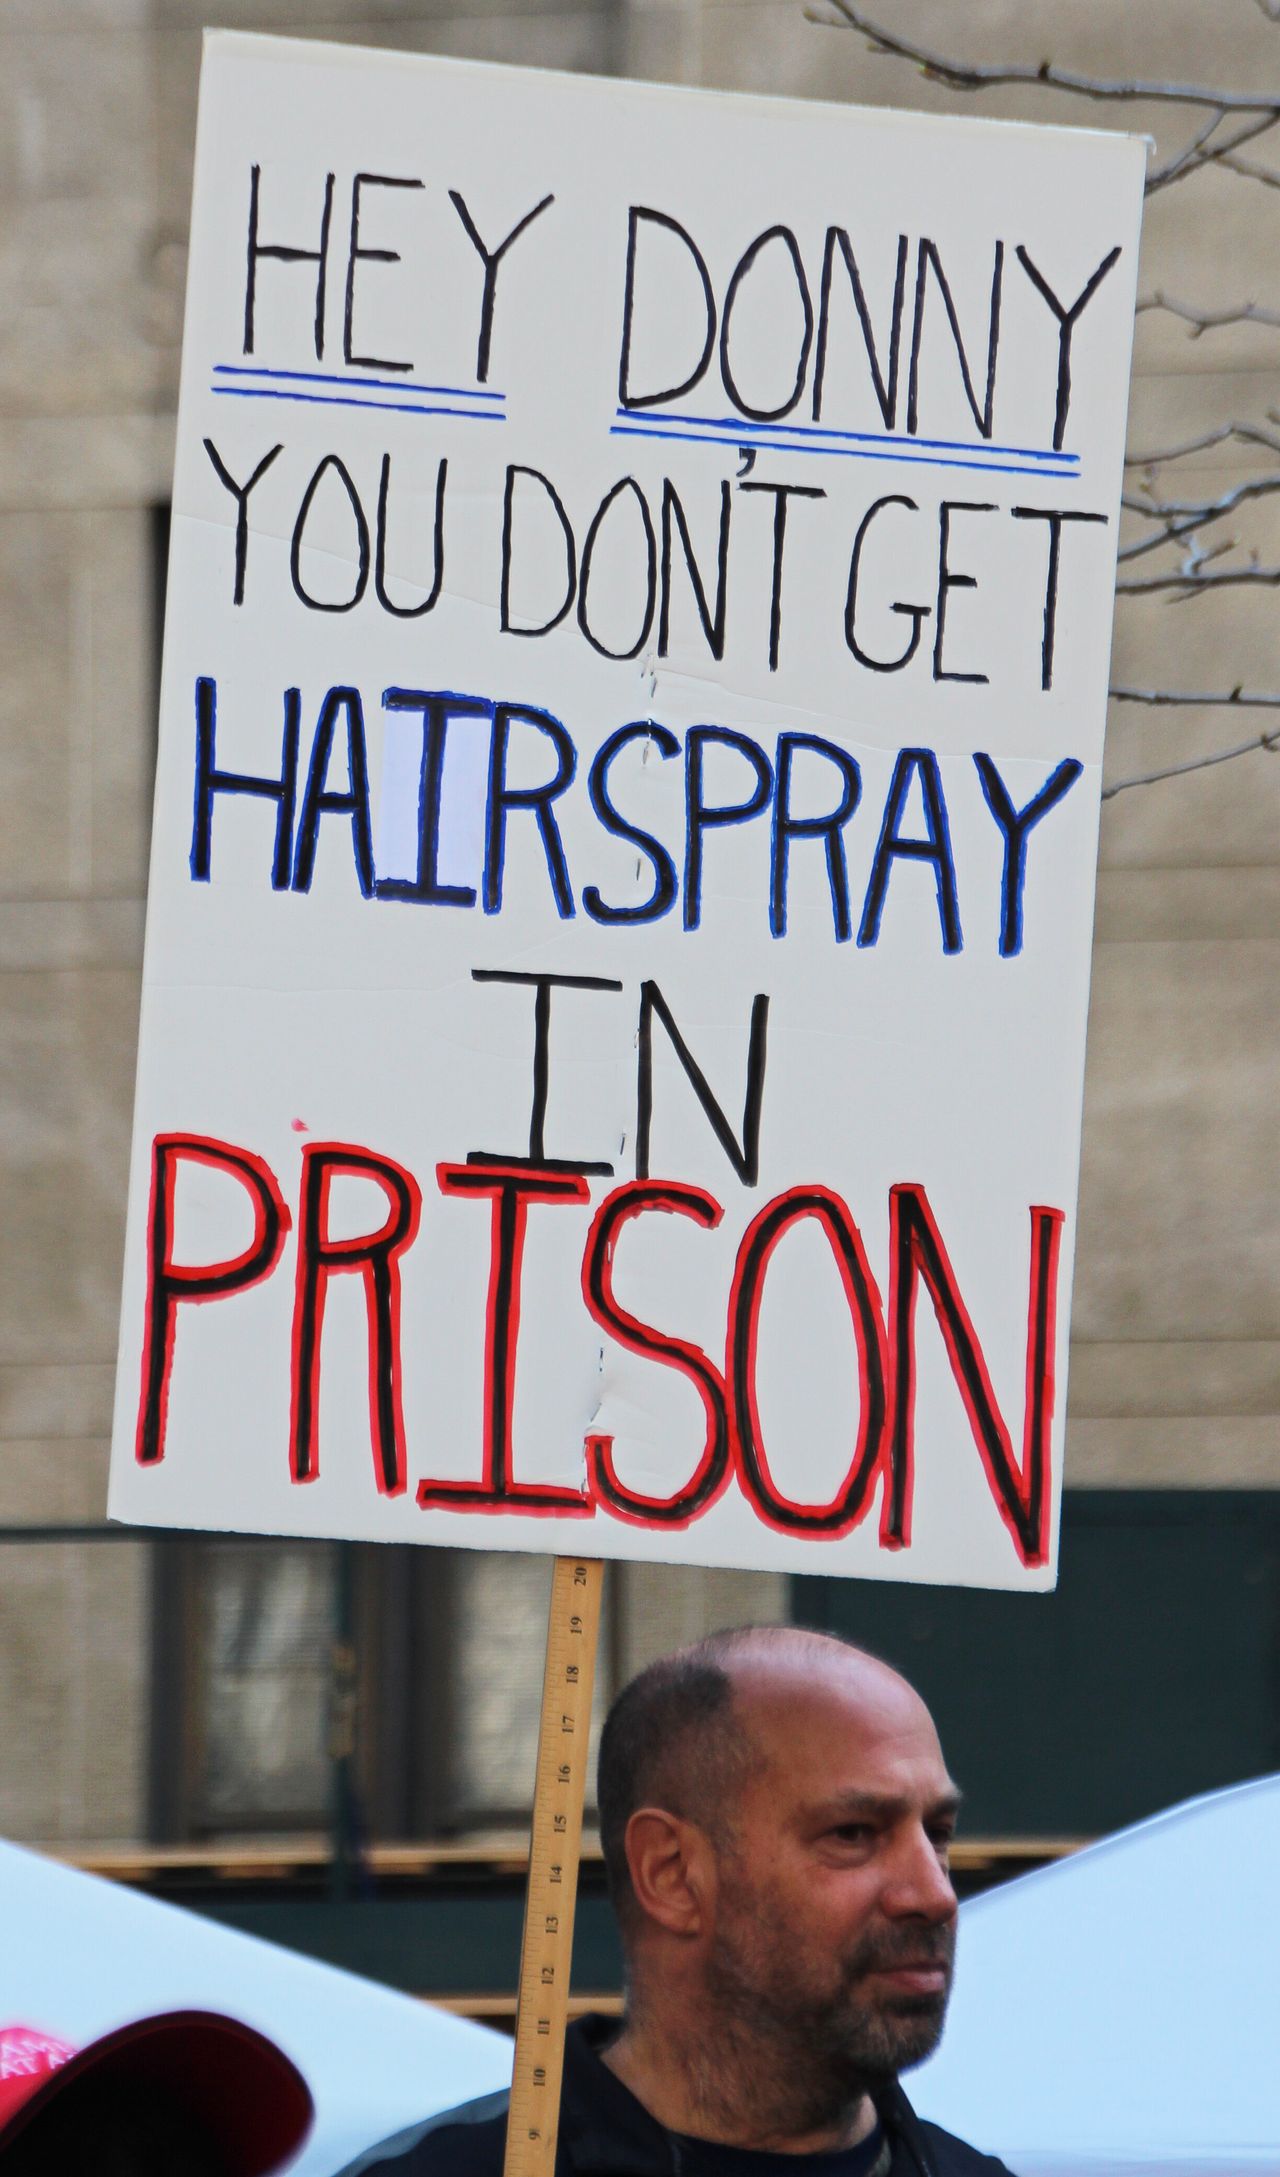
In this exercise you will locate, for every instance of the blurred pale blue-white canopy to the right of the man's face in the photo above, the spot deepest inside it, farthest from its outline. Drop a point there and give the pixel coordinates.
(1150, 1958)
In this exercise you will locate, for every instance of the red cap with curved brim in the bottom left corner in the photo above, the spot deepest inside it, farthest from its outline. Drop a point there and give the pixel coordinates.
(232, 2084)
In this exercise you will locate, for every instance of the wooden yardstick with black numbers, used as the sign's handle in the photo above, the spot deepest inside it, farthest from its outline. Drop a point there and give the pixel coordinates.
(554, 1858)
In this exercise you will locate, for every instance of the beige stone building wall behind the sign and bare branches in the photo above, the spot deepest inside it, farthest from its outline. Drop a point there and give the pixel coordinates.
(1177, 1316)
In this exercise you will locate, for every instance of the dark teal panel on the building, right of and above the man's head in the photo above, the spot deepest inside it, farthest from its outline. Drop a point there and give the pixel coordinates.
(1150, 1675)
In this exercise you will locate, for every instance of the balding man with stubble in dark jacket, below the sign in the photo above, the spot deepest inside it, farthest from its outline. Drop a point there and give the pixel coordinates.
(776, 1819)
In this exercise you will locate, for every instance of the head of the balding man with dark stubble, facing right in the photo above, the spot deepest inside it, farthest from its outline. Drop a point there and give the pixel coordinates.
(776, 1819)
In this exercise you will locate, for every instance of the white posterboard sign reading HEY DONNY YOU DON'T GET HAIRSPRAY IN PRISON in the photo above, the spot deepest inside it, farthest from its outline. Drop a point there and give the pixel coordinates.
(626, 822)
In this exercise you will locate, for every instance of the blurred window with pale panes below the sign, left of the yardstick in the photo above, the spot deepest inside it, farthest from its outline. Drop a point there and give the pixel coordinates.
(258, 1645)
